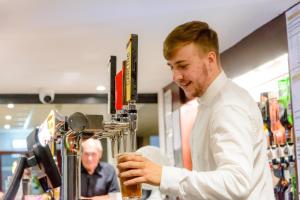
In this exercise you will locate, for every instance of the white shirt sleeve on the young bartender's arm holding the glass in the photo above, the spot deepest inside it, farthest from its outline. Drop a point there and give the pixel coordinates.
(231, 146)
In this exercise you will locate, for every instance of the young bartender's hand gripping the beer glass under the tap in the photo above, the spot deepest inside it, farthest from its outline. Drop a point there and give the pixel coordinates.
(138, 169)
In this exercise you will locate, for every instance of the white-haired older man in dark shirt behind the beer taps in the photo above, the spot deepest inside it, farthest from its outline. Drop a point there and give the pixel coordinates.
(97, 178)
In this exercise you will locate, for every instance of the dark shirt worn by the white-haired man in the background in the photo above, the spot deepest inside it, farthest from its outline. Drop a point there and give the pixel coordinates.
(101, 182)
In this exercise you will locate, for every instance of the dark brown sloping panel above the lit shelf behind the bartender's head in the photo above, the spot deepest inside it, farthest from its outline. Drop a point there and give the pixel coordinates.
(265, 44)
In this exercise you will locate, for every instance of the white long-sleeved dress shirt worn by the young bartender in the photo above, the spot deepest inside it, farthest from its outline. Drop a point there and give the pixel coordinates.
(228, 149)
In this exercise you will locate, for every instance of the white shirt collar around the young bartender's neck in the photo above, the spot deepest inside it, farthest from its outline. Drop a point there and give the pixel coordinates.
(213, 89)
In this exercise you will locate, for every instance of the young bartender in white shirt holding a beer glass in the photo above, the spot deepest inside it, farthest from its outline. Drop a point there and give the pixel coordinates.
(227, 143)
